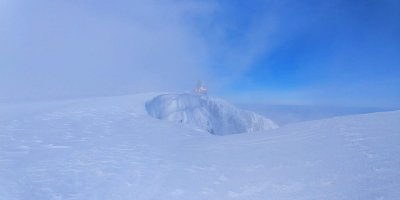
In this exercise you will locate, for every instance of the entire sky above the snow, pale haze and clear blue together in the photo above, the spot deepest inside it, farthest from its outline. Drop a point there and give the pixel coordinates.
(277, 52)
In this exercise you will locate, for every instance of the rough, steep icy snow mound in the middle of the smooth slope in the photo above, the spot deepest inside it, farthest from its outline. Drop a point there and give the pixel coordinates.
(207, 113)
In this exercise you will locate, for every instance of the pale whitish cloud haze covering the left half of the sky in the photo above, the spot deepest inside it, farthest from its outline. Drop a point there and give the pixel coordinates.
(89, 48)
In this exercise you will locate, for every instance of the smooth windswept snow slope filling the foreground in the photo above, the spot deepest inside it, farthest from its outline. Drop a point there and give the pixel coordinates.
(109, 148)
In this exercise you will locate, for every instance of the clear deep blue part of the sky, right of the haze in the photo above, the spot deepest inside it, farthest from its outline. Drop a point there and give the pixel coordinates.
(322, 52)
